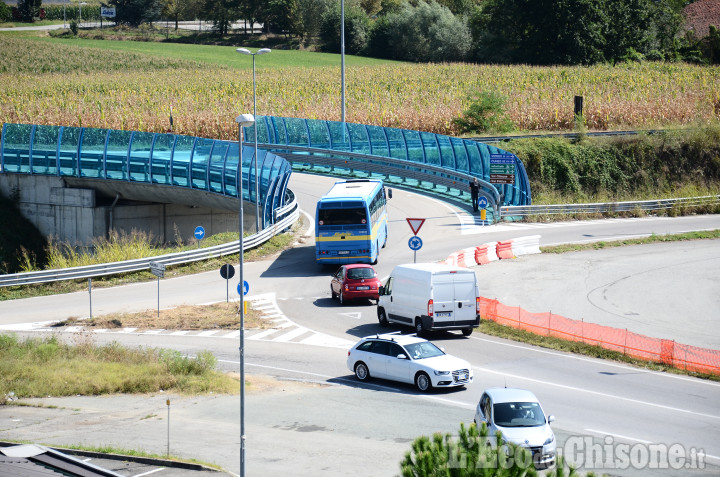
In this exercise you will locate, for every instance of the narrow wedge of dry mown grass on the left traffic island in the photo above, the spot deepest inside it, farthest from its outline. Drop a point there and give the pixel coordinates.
(184, 317)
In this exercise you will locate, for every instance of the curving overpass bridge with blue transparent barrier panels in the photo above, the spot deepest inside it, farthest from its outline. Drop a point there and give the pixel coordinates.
(78, 183)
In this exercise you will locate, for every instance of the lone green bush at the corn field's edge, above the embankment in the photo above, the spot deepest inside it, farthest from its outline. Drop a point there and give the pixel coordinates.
(485, 114)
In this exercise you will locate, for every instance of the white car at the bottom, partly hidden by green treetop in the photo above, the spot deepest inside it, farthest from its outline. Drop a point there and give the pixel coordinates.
(517, 414)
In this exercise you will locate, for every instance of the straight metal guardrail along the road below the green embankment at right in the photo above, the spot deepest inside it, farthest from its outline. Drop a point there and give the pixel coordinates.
(608, 207)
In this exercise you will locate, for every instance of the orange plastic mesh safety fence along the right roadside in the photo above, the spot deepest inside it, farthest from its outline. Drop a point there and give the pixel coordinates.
(690, 358)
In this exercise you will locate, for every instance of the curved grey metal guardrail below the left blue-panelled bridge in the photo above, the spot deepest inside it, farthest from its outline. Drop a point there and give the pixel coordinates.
(286, 215)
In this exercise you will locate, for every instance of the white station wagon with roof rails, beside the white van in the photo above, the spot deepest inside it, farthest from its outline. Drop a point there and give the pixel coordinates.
(408, 359)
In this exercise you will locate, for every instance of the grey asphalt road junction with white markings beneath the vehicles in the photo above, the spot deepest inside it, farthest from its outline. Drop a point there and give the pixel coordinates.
(317, 420)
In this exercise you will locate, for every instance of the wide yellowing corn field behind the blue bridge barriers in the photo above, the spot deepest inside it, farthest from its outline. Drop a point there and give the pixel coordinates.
(49, 83)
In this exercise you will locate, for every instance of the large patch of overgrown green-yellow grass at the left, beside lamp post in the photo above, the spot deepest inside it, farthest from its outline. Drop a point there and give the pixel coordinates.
(39, 367)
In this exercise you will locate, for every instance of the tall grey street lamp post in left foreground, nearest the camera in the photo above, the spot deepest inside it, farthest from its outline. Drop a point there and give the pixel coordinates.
(244, 121)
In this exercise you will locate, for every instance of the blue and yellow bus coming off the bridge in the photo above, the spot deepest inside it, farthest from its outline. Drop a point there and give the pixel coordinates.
(351, 222)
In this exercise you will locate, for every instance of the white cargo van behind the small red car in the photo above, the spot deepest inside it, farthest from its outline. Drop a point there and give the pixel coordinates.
(431, 296)
